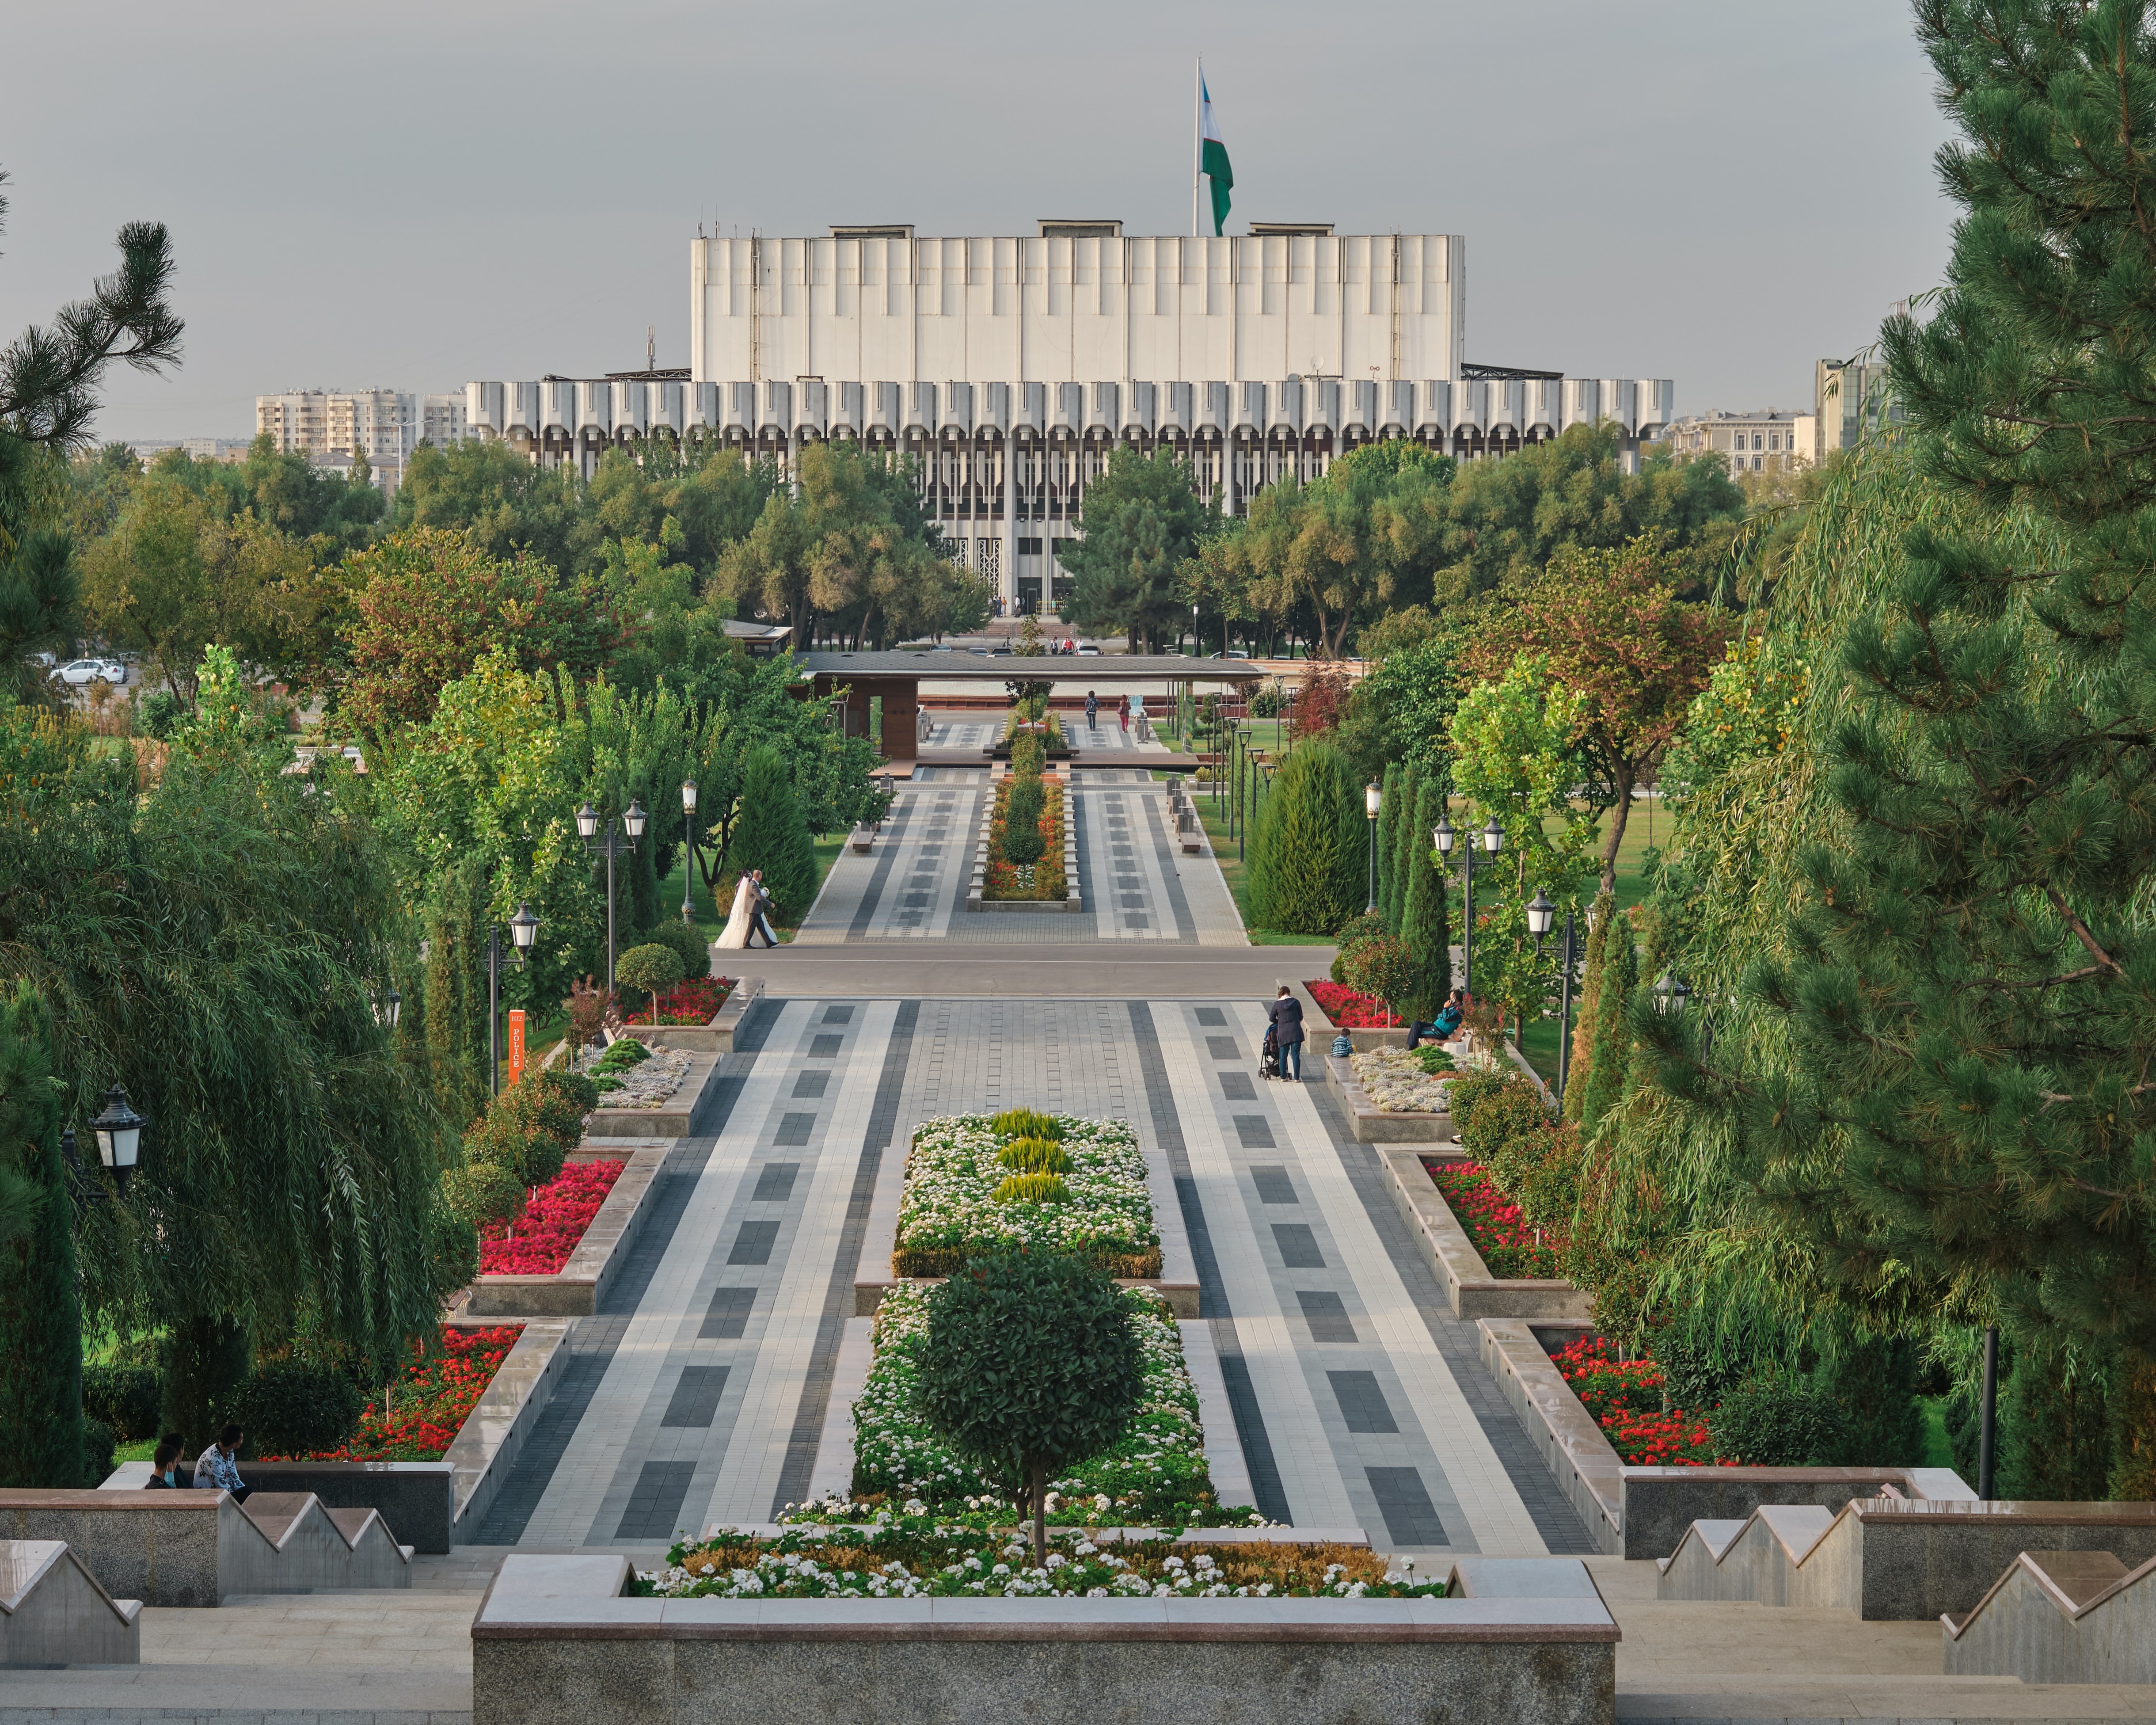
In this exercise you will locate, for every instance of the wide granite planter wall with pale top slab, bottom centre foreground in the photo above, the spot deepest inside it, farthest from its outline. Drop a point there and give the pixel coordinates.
(555, 1640)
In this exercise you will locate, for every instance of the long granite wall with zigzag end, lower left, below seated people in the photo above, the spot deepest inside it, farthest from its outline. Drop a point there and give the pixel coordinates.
(202, 1547)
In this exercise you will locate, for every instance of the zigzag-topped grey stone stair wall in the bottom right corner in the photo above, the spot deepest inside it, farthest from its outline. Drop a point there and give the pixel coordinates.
(2060, 1618)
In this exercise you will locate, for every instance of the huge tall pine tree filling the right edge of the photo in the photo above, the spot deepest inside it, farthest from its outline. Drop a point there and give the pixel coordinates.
(1972, 980)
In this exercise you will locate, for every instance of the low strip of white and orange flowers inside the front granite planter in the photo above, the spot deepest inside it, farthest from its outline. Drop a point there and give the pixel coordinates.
(917, 1558)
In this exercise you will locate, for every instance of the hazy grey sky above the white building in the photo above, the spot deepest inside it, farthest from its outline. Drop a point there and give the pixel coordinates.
(415, 195)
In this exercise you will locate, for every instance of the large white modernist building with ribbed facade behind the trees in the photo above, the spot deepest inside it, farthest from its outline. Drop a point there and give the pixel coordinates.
(1010, 368)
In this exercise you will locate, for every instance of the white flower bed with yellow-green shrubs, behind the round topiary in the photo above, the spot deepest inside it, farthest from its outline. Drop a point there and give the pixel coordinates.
(960, 1200)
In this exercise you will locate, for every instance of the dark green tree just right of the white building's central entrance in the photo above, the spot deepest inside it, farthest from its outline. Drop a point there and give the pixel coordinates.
(1137, 525)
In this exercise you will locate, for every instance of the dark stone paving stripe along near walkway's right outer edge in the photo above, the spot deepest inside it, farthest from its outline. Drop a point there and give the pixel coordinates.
(1551, 1510)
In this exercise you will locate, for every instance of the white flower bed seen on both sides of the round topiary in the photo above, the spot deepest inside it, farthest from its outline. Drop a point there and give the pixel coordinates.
(1155, 1476)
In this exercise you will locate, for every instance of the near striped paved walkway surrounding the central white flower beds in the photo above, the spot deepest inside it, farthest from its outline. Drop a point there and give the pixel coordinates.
(700, 1396)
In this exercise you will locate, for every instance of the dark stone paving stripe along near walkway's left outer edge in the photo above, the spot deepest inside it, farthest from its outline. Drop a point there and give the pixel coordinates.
(594, 1340)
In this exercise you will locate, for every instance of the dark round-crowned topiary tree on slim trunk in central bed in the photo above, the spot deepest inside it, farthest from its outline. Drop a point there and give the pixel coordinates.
(1029, 1366)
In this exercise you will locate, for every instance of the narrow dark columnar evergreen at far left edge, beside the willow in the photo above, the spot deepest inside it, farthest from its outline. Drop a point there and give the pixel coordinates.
(40, 1319)
